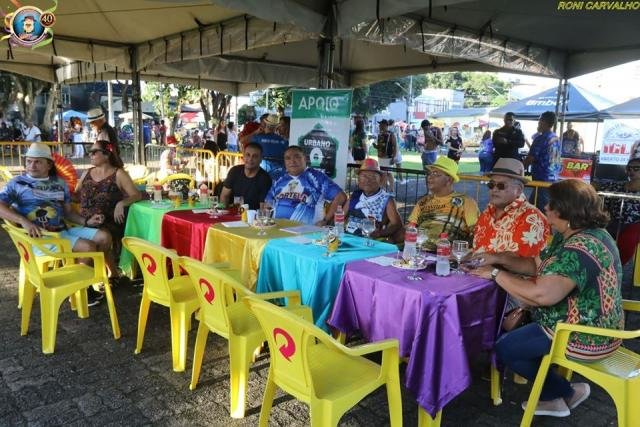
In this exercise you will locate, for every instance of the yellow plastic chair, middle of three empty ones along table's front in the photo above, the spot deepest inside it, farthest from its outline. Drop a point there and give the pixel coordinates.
(222, 312)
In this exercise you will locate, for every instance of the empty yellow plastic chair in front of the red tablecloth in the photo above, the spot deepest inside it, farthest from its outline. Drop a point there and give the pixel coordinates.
(176, 293)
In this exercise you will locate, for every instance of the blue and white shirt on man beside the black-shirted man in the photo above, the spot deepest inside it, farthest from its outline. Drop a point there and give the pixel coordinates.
(301, 198)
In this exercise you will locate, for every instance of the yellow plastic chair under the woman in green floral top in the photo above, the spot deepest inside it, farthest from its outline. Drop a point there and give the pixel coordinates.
(618, 374)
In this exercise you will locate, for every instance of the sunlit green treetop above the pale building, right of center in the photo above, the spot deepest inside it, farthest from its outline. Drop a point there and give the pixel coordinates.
(480, 89)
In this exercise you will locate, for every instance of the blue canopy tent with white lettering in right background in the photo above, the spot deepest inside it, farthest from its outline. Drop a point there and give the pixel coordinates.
(582, 105)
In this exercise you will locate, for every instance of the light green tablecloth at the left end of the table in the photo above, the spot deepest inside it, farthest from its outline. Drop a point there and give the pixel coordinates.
(144, 220)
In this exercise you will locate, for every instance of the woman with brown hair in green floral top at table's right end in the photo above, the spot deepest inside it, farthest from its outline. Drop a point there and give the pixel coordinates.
(576, 279)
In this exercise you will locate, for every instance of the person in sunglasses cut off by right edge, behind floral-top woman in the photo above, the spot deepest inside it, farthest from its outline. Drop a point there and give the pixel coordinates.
(625, 223)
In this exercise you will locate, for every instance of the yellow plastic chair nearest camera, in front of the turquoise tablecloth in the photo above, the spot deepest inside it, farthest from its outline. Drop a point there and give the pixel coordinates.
(316, 369)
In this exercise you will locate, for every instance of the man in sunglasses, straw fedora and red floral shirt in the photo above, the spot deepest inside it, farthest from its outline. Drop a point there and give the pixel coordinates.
(510, 223)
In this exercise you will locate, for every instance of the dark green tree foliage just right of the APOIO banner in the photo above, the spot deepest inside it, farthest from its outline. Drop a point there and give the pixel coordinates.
(370, 99)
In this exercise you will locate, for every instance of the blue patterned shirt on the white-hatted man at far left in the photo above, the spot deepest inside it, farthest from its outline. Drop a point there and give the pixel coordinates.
(41, 201)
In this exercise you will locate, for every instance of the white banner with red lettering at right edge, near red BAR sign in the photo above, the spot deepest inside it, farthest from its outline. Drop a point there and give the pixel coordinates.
(617, 138)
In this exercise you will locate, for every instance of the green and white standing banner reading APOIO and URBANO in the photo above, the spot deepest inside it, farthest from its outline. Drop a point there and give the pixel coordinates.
(320, 125)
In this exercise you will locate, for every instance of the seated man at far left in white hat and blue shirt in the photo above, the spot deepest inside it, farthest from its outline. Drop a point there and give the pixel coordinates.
(40, 200)
